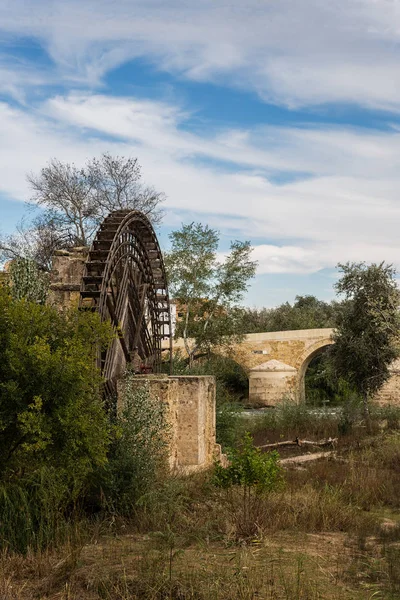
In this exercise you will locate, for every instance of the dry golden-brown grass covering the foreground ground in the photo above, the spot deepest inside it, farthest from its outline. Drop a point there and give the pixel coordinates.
(332, 532)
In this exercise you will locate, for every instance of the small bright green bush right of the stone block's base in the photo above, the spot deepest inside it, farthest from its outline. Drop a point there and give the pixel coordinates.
(250, 468)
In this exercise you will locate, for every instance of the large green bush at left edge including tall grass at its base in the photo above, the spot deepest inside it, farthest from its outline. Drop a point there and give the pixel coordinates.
(54, 429)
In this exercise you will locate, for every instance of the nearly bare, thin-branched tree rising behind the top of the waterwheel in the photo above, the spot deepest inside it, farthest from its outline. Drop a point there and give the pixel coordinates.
(74, 201)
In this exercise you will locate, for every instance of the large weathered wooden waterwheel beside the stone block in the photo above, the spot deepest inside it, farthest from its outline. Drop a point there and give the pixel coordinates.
(124, 281)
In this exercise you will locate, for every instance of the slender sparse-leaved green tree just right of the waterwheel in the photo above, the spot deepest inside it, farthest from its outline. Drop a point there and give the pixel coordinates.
(206, 289)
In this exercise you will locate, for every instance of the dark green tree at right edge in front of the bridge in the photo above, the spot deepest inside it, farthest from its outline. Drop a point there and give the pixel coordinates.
(367, 327)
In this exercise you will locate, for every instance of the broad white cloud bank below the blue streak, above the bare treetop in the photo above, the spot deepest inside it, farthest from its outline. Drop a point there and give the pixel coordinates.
(350, 212)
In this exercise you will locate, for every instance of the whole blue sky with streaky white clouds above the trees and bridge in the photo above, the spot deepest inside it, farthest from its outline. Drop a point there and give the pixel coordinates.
(276, 121)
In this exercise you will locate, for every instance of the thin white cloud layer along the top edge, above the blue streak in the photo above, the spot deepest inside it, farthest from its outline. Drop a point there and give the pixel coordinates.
(301, 52)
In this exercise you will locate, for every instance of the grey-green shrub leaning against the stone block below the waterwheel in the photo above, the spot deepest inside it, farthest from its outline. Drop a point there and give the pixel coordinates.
(138, 449)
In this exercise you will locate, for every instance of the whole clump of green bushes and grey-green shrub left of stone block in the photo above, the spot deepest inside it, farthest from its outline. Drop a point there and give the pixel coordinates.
(62, 456)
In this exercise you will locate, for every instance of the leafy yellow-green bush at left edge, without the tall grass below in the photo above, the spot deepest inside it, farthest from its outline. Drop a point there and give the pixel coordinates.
(51, 410)
